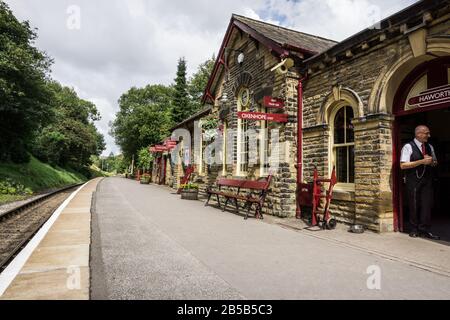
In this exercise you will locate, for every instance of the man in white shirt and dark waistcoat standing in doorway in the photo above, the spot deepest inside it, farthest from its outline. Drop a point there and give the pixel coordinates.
(417, 158)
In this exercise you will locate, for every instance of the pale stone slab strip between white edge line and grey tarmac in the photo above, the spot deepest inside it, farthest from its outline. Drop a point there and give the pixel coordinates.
(59, 267)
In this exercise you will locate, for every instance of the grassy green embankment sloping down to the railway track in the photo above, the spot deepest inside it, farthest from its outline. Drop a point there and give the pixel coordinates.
(38, 176)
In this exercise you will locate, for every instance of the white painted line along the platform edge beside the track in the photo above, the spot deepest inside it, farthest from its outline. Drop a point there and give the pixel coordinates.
(13, 269)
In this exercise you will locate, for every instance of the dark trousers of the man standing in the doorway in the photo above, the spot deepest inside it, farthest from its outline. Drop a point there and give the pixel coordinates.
(420, 200)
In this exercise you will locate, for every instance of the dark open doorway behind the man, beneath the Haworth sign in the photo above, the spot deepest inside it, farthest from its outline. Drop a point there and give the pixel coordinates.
(438, 121)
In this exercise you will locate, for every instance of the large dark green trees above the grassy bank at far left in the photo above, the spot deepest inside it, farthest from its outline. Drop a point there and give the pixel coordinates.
(38, 114)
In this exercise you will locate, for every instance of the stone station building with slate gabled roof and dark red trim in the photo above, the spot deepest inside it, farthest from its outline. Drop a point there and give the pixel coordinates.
(350, 105)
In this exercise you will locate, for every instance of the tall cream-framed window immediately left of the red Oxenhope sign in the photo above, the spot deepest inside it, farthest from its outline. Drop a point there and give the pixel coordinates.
(242, 136)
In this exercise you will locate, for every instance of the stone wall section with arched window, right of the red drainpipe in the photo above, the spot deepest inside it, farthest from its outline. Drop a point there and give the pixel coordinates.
(363, 74)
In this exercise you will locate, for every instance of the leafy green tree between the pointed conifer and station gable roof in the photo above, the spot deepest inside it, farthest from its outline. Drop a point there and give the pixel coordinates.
(198, 83)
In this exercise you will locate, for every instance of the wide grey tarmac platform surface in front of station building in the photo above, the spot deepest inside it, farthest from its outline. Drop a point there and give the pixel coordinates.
(150, 244)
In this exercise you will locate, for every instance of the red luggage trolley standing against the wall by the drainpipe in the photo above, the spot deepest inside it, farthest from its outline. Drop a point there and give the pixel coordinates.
(311, 195)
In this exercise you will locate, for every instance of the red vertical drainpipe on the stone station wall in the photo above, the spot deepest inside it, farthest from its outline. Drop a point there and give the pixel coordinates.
(299, 165)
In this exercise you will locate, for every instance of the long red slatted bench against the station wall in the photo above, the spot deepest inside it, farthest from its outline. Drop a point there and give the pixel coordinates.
(256, 192)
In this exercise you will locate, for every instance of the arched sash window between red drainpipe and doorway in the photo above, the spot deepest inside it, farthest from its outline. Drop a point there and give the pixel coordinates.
(343, 145)
